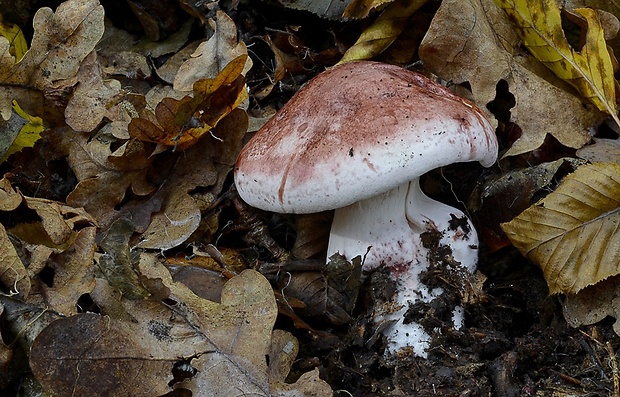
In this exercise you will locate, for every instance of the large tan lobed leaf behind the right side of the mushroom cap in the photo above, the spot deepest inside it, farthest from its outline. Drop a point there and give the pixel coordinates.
(472, 41)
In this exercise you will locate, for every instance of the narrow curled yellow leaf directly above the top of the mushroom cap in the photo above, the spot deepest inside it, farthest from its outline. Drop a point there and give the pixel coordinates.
(384, 30)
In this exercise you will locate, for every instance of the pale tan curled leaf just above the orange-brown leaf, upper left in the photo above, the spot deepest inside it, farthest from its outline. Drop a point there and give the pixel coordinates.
(213, 55)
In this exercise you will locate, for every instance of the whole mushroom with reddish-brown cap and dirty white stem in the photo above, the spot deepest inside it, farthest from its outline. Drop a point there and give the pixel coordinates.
(356, 139)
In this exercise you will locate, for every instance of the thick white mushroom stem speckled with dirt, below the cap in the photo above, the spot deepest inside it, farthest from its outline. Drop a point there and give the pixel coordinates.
(386, 230)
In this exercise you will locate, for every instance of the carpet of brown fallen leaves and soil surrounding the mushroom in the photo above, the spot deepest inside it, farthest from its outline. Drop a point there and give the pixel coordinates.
(131, 272)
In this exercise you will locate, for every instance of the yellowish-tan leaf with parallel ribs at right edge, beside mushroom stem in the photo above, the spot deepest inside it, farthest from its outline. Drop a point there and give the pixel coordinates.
(573, 233)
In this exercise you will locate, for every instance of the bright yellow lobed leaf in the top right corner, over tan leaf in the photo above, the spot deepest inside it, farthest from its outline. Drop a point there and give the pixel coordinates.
(589, 70)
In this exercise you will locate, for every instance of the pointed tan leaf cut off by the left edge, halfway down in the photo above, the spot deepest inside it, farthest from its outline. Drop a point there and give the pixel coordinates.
(13, 273)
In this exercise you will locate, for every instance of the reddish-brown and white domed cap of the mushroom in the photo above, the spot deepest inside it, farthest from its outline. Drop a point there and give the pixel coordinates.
(356, 131)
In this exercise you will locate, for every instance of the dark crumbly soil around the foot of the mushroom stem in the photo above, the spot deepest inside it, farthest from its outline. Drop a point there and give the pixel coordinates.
(515, 342)
